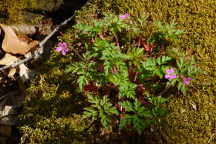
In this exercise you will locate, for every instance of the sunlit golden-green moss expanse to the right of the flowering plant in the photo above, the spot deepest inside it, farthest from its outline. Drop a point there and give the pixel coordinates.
(192, 118)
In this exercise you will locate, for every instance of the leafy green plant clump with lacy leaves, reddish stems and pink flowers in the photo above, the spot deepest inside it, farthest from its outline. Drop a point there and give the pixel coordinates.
(122, 73)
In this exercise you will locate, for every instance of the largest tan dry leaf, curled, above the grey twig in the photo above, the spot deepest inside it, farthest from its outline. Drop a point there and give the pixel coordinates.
(13, 44)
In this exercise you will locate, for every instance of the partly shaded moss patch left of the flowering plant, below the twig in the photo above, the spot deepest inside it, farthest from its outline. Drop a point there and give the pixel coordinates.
(51, 113)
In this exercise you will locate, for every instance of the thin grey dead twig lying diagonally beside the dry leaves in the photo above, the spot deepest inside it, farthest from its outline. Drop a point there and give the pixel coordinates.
(40, 50)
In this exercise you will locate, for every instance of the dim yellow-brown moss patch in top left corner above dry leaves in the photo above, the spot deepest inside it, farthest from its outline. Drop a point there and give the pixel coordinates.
(16, 13)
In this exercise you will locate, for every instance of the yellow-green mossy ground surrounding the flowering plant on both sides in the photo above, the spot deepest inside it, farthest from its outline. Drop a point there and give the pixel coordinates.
(52, 108)
